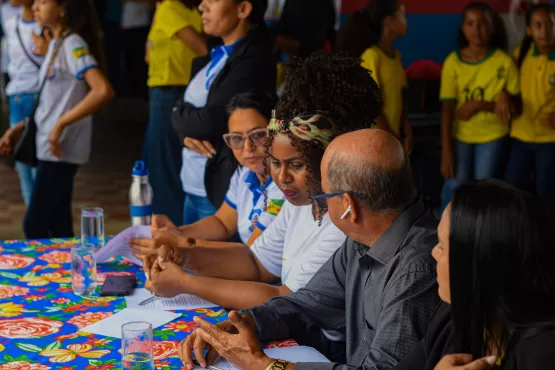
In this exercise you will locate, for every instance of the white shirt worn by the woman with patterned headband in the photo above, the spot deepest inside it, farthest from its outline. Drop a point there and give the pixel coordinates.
(295, 247)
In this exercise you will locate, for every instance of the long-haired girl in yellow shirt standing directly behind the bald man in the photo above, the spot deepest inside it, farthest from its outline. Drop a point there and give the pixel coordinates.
(370, 34)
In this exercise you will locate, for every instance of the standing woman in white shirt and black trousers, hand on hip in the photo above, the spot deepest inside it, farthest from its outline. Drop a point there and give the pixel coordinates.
(75, 88)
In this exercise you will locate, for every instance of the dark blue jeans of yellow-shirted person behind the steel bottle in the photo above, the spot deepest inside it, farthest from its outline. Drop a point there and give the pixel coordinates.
(162, 154)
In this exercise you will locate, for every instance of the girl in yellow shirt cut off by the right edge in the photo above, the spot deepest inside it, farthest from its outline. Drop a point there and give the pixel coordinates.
(532, 154)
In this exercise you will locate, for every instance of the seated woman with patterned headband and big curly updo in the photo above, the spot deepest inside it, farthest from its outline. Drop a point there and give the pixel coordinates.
(326, 96)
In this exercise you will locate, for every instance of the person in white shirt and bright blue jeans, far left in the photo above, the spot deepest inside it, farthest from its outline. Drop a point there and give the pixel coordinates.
(23, 69)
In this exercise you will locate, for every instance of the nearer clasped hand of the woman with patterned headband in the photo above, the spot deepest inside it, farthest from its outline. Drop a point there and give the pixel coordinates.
(167, 279)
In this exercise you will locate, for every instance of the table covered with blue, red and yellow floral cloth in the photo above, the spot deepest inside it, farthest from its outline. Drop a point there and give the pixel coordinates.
(40, 316)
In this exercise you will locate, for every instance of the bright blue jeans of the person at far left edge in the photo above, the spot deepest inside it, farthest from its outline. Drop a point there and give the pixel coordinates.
(21, 106)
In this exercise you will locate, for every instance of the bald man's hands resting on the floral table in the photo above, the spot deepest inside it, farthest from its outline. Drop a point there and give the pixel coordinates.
(233, 339)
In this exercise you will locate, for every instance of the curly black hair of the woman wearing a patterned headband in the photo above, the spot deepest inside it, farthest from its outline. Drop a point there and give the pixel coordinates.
(335, 84)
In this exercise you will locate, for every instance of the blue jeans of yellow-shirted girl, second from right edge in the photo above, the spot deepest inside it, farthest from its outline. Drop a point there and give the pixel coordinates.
(475, 162)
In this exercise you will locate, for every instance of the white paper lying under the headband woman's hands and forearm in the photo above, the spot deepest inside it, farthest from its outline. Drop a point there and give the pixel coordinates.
(180, 302)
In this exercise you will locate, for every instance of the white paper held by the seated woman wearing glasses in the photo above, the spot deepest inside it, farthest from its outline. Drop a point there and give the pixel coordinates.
(119, 246)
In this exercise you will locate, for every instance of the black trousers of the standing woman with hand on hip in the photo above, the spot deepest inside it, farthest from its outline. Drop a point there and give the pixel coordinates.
(49, 214)
